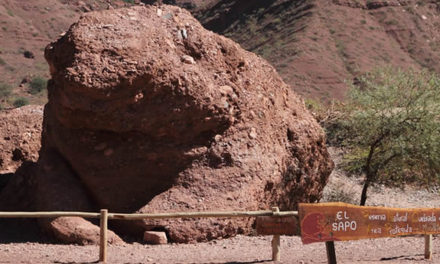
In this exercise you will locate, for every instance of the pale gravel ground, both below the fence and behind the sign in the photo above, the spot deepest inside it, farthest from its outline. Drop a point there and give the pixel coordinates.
(257, 249)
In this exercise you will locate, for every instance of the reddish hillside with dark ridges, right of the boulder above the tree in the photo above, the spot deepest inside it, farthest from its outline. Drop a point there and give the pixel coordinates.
(318, 45)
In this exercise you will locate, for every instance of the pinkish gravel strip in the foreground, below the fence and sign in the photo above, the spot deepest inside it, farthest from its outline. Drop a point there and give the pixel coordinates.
(236, 250)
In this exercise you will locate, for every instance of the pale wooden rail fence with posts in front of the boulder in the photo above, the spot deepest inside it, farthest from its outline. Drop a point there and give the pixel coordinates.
(104, 216)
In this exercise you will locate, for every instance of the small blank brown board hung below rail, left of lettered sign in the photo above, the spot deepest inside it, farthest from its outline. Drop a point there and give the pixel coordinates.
(270, 225)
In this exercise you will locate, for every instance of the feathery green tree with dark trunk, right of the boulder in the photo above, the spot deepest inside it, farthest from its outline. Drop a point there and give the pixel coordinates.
(390, 126)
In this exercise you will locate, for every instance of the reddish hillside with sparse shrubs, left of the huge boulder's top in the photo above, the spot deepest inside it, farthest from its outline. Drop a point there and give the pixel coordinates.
(26, 27)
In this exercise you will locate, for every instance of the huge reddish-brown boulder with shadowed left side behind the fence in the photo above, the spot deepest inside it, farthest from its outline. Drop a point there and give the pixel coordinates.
(150, 112)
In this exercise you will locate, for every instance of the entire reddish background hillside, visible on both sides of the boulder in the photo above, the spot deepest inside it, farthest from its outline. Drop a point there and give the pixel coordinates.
(316, 45)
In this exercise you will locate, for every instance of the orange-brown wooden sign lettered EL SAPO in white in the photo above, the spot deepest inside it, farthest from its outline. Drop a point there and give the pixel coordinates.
(340, 221)
